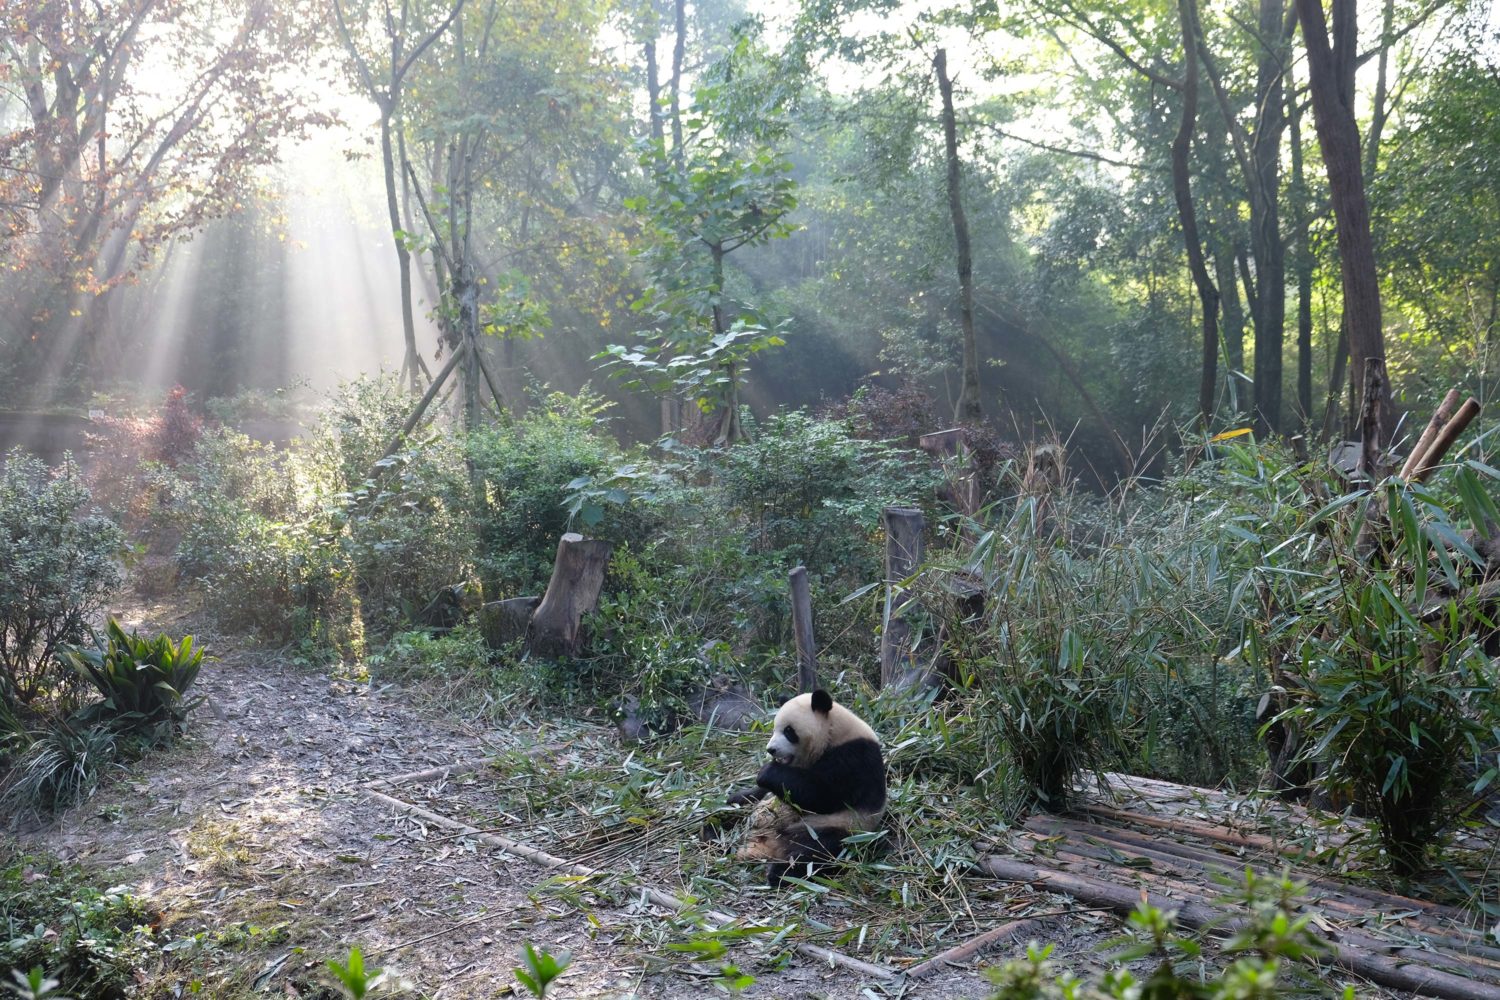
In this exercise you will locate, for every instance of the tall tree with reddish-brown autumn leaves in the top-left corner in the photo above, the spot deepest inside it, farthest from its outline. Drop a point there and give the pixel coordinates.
(137, 122)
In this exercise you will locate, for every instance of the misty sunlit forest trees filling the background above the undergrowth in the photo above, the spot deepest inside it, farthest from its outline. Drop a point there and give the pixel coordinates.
(1097, 218)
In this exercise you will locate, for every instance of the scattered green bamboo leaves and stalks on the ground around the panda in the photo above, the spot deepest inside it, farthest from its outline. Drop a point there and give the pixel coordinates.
(656, 816)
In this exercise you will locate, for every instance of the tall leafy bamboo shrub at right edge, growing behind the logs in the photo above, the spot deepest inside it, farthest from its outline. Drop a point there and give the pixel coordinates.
(1394, 692)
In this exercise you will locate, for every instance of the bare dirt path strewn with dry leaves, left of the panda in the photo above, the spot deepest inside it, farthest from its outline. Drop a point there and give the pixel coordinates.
(256, 837)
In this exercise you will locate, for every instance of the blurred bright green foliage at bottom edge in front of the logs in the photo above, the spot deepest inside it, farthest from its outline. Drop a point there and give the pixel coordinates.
(1267, 942)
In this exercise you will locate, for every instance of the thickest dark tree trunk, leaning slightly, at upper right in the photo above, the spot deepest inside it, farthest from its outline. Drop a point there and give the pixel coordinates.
(1331, 86)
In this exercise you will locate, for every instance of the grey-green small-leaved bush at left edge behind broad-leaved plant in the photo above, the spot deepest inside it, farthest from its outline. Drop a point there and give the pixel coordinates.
(59, 569)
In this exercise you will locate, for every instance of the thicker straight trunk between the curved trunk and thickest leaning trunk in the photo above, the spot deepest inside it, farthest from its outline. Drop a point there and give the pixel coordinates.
(1265, 218)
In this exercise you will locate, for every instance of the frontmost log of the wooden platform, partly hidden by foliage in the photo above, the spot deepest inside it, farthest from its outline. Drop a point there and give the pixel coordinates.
(1379, 969)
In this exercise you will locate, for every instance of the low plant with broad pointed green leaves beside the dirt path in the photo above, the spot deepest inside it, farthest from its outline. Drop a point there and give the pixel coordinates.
(143, 681)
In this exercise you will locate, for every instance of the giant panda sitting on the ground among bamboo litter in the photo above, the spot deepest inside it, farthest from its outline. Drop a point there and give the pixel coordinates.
(826, 780)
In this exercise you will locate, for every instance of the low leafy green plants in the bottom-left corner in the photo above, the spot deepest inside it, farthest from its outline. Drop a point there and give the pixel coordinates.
(89, 941)
